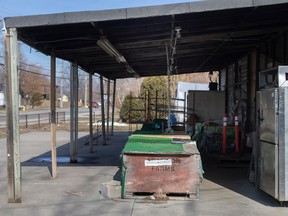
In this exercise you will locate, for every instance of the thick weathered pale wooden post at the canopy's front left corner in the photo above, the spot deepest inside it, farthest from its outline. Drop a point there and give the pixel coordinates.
(12, 117)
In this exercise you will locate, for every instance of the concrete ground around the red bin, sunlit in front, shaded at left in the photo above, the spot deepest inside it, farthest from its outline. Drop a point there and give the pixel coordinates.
(75, 191)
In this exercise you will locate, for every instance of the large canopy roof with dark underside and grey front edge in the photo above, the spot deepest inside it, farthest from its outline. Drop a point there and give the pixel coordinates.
(214, 33)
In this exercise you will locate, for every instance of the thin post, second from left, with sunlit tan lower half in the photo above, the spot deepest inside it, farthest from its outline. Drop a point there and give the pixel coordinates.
(53, 116)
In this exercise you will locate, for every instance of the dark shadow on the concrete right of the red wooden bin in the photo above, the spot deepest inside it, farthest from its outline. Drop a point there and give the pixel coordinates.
(235, 177)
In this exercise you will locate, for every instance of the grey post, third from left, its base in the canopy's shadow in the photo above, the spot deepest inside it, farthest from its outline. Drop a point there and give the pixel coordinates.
(73, 112)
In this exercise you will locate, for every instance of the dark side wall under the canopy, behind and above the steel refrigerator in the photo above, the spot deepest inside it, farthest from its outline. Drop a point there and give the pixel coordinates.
(240, 79)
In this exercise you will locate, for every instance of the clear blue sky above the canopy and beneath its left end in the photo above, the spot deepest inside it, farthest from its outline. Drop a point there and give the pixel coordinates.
(10, 8)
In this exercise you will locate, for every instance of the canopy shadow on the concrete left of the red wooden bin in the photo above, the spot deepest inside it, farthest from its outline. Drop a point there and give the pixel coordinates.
(102, 155)
